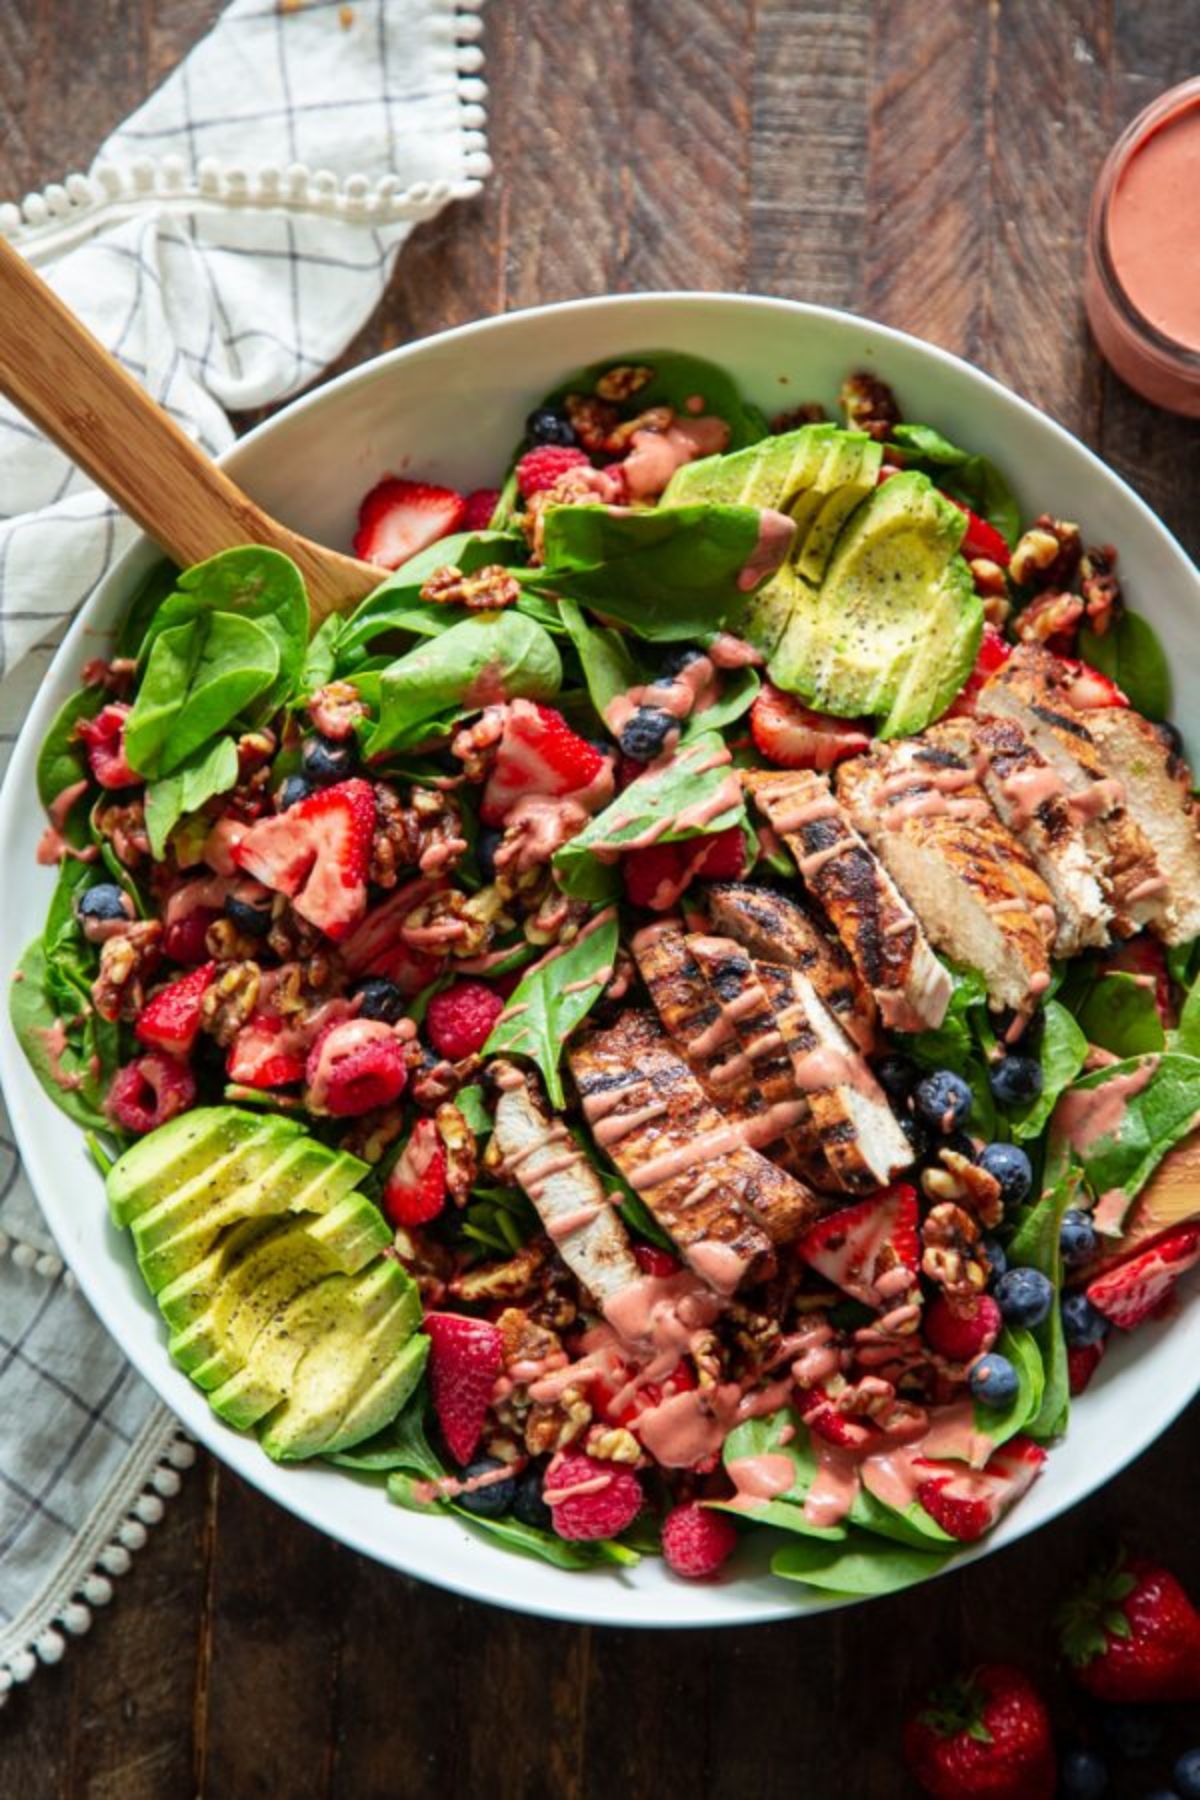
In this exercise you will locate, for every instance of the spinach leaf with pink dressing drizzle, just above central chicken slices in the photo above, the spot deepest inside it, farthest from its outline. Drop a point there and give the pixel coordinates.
(663, 807)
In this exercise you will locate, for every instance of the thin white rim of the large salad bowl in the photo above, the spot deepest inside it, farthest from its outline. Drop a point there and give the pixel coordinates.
(242, 1453)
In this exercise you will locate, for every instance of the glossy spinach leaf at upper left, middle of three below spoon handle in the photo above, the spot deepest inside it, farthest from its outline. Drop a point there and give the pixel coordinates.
(199, 678)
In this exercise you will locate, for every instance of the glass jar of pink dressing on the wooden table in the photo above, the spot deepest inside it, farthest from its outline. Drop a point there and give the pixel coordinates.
(1143, 264)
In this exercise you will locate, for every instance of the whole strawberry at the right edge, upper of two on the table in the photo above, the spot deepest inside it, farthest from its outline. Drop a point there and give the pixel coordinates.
(1131, 1633)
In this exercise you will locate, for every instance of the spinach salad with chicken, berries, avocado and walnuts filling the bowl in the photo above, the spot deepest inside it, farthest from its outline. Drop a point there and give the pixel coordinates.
(674, 1020)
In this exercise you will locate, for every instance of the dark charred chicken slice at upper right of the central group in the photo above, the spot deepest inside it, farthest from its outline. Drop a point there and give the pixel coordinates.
(775, 928)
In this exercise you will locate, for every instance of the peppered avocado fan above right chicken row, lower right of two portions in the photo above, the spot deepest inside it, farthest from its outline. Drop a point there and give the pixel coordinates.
(897, 624)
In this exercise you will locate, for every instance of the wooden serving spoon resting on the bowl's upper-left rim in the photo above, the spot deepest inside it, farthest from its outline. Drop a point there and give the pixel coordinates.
(67, 384)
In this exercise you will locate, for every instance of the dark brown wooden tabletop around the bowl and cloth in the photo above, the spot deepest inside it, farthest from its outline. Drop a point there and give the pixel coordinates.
(922, 161)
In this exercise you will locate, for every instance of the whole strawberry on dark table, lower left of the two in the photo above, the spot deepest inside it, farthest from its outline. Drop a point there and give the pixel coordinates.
(985, 1734)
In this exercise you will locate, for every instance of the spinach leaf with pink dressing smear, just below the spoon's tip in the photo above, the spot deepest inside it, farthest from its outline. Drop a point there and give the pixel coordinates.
(496, 656)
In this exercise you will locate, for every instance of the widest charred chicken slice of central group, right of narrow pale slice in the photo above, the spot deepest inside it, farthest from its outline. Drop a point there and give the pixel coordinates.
(692, 1165)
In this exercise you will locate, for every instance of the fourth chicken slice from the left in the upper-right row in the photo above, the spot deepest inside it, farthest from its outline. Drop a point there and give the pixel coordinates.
(1035, 688)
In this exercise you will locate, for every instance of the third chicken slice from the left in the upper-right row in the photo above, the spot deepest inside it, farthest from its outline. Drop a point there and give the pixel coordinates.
(1030, 800)
